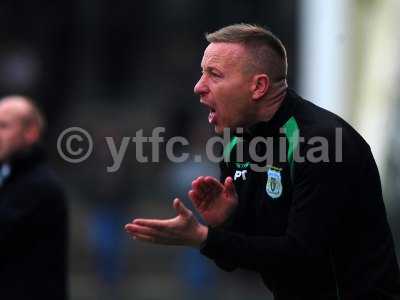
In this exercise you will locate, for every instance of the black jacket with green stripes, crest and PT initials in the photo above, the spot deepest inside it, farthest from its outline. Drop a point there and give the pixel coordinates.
(313, 230)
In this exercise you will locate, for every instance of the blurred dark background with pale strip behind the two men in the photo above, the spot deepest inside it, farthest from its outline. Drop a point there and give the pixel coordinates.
(116, 67)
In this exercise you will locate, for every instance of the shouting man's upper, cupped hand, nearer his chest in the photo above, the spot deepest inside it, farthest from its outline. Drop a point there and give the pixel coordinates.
(213, 200)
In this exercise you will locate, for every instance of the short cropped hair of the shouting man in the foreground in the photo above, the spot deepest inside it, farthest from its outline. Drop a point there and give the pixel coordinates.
(267, 52)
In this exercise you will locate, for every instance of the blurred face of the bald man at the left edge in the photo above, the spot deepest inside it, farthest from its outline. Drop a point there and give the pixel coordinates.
(12, 133)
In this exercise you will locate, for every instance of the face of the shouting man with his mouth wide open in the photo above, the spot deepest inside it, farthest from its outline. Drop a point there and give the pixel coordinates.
(224, 86)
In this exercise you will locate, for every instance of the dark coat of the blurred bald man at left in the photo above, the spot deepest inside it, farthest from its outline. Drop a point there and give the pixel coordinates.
(33, 230)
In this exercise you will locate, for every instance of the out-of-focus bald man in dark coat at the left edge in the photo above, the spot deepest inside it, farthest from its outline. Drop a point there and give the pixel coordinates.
(33, 214)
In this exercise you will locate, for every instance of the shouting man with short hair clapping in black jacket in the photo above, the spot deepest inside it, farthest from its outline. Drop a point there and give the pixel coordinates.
(313, 229)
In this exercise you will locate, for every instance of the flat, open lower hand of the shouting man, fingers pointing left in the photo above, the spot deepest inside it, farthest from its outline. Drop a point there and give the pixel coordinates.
(184, 229)
